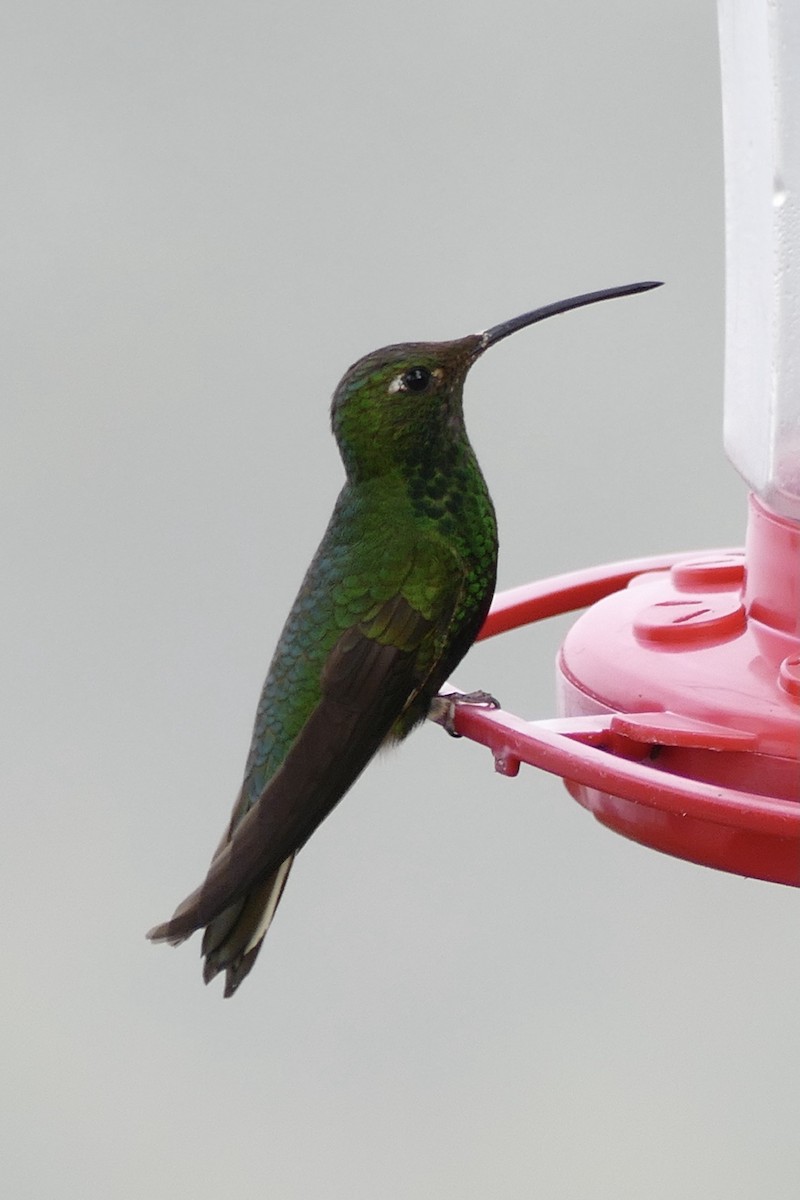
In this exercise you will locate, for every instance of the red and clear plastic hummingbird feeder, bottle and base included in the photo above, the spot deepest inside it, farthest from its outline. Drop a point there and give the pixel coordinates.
(679, 687)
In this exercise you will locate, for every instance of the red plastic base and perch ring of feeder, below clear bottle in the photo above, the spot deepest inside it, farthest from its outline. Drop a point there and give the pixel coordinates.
(681, 699)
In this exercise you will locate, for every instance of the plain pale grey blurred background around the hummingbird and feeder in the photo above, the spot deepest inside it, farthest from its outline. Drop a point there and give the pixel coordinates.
(472, 988)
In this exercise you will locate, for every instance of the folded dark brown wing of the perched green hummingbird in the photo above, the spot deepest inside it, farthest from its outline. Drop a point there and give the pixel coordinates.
(368, 681)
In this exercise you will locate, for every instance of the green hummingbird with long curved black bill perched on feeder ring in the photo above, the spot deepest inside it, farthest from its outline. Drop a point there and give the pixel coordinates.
(394, 598)
